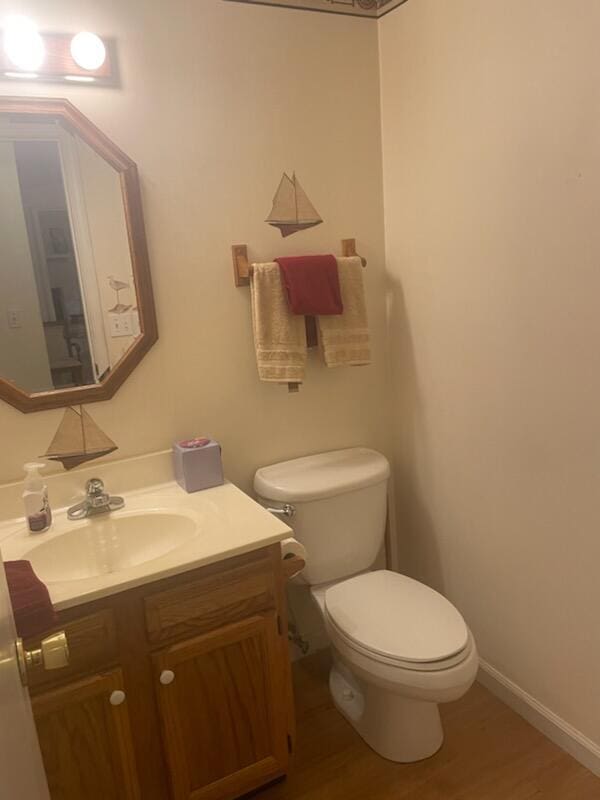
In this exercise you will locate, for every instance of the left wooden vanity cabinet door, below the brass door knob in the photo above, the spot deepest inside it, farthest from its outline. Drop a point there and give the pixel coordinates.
(85, 739)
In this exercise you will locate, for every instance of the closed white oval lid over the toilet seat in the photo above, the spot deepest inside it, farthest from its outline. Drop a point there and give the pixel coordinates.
(397, 617)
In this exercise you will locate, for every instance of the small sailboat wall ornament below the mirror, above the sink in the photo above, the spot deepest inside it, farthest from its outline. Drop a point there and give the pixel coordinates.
(78, 439)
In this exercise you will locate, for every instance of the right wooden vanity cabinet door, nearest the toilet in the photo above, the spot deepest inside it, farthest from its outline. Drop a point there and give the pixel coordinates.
(223, 710)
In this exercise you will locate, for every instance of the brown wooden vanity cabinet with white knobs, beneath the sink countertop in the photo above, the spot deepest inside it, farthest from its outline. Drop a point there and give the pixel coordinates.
(179, 688)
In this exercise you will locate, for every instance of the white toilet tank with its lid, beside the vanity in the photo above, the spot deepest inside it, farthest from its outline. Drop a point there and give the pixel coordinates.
(341, 506)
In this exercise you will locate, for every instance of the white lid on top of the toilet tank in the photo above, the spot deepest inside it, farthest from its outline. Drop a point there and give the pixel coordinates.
(323, 475)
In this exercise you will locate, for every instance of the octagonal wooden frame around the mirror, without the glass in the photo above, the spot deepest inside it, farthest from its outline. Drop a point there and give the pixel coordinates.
(132, 203)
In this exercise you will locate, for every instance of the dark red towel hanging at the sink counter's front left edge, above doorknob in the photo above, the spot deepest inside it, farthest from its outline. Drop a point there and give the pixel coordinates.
(30, 599)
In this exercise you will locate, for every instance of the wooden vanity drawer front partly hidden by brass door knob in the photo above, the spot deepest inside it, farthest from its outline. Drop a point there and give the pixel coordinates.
(92, 644)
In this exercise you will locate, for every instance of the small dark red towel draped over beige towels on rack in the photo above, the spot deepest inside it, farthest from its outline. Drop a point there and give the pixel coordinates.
(312, 285)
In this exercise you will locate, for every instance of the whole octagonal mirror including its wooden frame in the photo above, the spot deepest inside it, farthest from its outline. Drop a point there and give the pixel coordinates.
(76, 304)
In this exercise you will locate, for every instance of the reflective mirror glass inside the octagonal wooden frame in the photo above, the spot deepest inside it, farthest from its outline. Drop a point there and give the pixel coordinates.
(68, 309)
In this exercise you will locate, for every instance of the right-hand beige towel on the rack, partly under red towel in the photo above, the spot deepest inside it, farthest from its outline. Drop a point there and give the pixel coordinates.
(345, 338)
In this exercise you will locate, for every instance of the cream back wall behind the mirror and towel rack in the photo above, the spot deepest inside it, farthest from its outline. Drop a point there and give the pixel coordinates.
(217, 100)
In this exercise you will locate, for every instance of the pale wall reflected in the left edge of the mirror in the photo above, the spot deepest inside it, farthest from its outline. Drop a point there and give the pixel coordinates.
(23, 353)
